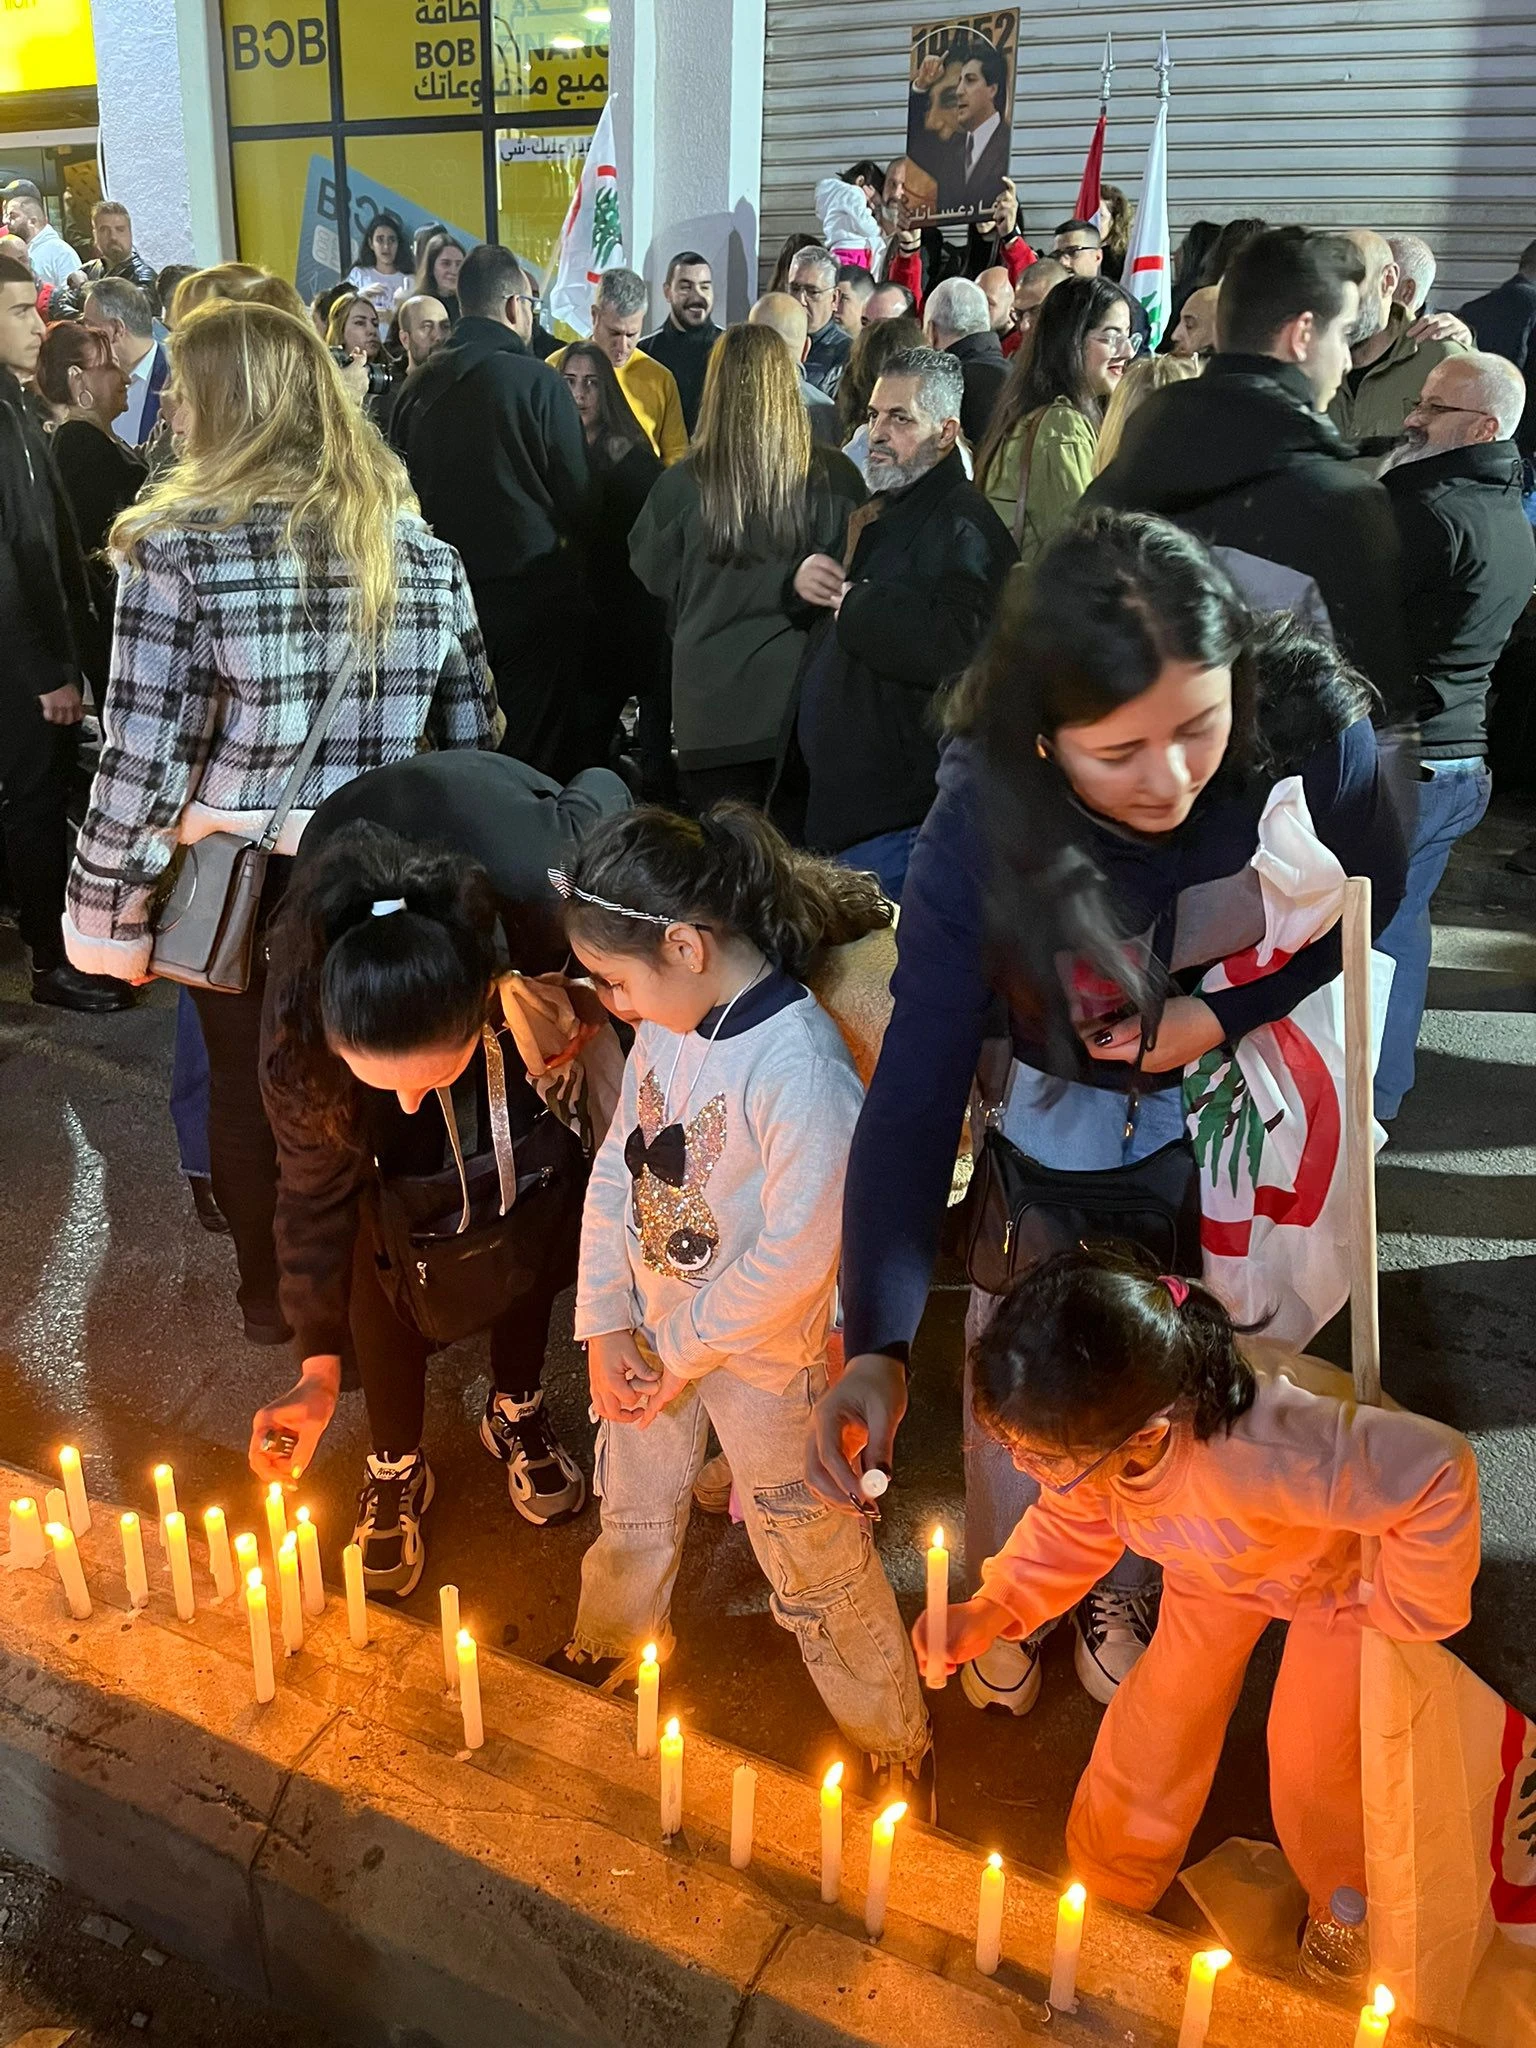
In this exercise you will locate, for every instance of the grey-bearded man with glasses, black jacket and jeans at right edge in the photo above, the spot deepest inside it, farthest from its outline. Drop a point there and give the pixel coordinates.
(1469, 566)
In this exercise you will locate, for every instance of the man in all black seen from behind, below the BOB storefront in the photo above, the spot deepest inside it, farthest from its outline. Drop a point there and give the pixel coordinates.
(497, 456)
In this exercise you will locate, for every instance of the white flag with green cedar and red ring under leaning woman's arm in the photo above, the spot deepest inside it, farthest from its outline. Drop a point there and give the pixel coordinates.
(1267, 1119)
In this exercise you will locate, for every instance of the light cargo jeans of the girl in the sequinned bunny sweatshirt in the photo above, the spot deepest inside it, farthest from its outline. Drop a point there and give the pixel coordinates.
(826, 1582)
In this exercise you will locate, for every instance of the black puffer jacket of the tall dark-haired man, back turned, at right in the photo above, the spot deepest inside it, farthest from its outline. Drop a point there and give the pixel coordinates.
(1240, 458)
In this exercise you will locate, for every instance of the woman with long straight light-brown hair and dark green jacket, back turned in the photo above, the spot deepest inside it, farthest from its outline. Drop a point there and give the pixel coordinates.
(720, 542)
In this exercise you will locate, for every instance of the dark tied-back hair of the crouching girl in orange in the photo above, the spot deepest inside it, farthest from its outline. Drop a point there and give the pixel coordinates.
(1095, 1342)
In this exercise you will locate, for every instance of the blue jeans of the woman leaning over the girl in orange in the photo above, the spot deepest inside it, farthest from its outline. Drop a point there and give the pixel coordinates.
(1080, 1132)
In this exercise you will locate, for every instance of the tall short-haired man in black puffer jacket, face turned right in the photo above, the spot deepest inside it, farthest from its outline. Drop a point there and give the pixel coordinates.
(1246, 458)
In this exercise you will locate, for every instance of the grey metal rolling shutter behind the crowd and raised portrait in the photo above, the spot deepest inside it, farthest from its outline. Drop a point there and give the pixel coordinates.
(1406, 116)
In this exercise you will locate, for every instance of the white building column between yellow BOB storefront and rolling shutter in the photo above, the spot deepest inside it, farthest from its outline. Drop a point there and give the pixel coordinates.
(689, 128)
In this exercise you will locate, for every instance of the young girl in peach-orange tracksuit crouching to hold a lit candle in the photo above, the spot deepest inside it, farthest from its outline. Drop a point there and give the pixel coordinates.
(1252, 1478)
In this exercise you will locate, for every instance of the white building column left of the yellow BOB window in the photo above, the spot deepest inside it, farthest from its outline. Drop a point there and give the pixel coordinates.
(163, 138)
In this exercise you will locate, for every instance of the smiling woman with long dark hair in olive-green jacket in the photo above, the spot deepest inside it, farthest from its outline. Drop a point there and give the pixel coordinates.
(1039, 454)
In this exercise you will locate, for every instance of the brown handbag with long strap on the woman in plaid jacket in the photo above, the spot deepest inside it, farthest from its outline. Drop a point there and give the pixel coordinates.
(206, 923)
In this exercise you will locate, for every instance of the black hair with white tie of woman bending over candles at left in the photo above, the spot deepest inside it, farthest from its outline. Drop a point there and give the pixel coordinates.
(390, 982)
